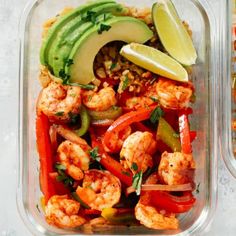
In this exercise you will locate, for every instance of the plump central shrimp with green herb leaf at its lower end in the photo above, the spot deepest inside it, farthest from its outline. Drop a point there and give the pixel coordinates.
(137, 150)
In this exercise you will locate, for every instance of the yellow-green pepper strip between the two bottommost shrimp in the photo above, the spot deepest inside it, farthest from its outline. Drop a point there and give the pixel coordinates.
(112, 215)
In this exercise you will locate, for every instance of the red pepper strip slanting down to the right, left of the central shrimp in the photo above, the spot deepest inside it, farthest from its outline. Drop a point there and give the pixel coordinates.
(111, 164)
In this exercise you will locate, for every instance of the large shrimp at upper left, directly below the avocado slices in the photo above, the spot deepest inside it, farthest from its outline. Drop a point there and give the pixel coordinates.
(59, 101)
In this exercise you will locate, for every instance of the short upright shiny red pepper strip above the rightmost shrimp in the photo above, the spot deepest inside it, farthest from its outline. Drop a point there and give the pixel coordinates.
(184, 133)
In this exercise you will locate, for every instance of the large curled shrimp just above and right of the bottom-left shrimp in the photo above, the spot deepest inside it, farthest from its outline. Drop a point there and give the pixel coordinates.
(100, 189)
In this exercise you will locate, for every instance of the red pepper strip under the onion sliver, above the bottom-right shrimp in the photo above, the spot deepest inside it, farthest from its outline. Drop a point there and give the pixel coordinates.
(170, 203)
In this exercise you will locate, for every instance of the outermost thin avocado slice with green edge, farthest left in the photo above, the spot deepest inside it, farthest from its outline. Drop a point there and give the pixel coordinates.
(53, 31)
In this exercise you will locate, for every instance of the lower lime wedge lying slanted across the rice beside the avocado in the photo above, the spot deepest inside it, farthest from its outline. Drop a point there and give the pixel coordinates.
(154, 61)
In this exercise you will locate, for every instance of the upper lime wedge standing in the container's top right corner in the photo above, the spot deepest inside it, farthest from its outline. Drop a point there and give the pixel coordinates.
(172, 33)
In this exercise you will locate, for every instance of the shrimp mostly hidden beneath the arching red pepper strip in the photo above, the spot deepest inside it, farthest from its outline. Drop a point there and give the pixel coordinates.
(117, 140)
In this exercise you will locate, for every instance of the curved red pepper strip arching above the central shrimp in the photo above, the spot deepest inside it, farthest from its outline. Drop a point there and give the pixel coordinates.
(126, 120)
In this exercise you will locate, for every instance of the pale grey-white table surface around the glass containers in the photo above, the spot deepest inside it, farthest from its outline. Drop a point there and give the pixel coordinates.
(224, 222)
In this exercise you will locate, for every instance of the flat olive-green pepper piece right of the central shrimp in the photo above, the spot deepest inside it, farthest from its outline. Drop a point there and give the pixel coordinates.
(167, 134)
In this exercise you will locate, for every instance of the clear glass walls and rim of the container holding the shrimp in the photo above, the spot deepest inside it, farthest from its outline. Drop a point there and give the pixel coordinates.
(201, 16)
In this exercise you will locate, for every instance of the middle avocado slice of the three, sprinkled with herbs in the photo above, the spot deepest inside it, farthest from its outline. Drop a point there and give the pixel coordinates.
(71, 32)
